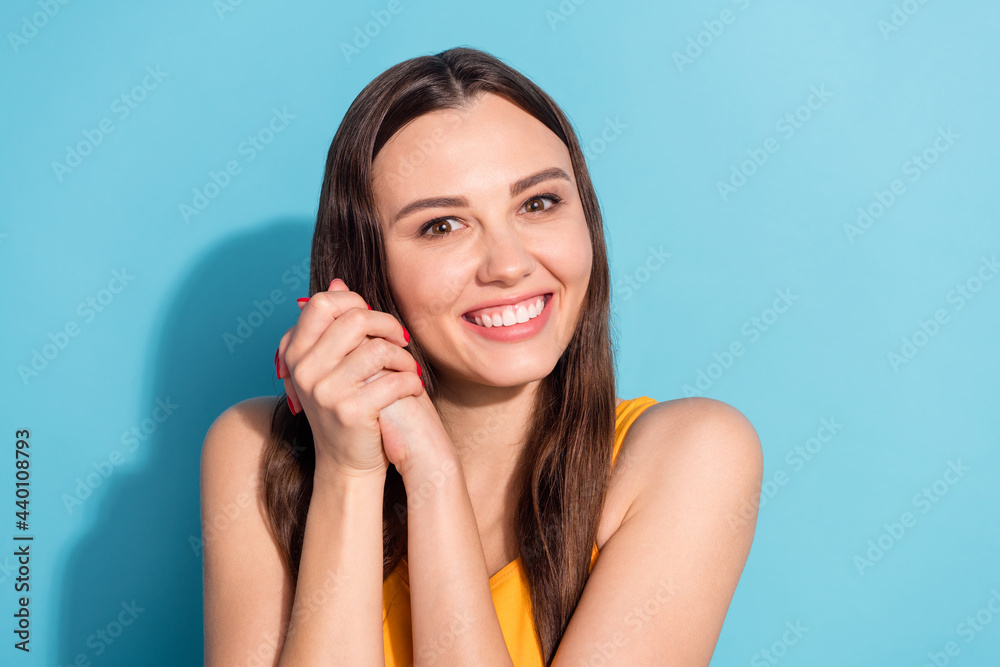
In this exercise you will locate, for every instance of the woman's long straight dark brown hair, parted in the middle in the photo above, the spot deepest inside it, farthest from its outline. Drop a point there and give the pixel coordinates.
(562, 476)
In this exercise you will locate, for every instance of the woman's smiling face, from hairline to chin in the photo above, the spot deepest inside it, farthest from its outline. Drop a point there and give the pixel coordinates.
(499, 237)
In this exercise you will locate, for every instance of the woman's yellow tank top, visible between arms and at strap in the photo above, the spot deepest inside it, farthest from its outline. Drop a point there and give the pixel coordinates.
(509, 587)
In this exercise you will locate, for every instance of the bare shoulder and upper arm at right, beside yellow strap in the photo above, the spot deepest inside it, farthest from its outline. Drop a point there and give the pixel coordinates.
(693, 465)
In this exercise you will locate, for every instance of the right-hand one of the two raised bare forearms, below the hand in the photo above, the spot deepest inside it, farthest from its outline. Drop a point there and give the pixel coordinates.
(454, 620)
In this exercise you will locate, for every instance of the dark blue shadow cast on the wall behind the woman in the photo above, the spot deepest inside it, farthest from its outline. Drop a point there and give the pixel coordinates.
(132, 588)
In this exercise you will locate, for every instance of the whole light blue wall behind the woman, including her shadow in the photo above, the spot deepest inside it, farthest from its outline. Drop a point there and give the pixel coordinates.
(680, 128)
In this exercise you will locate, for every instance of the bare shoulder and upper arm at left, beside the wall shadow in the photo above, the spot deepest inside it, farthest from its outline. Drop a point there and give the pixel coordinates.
(248, 592)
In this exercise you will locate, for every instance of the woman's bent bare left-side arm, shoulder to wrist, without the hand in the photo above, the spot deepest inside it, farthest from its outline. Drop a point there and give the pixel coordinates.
(251, 614)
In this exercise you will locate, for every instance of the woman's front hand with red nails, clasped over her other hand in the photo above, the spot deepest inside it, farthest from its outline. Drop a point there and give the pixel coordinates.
(344, 363)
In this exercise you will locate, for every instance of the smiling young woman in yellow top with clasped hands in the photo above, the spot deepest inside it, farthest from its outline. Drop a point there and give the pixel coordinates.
(450, 456)
